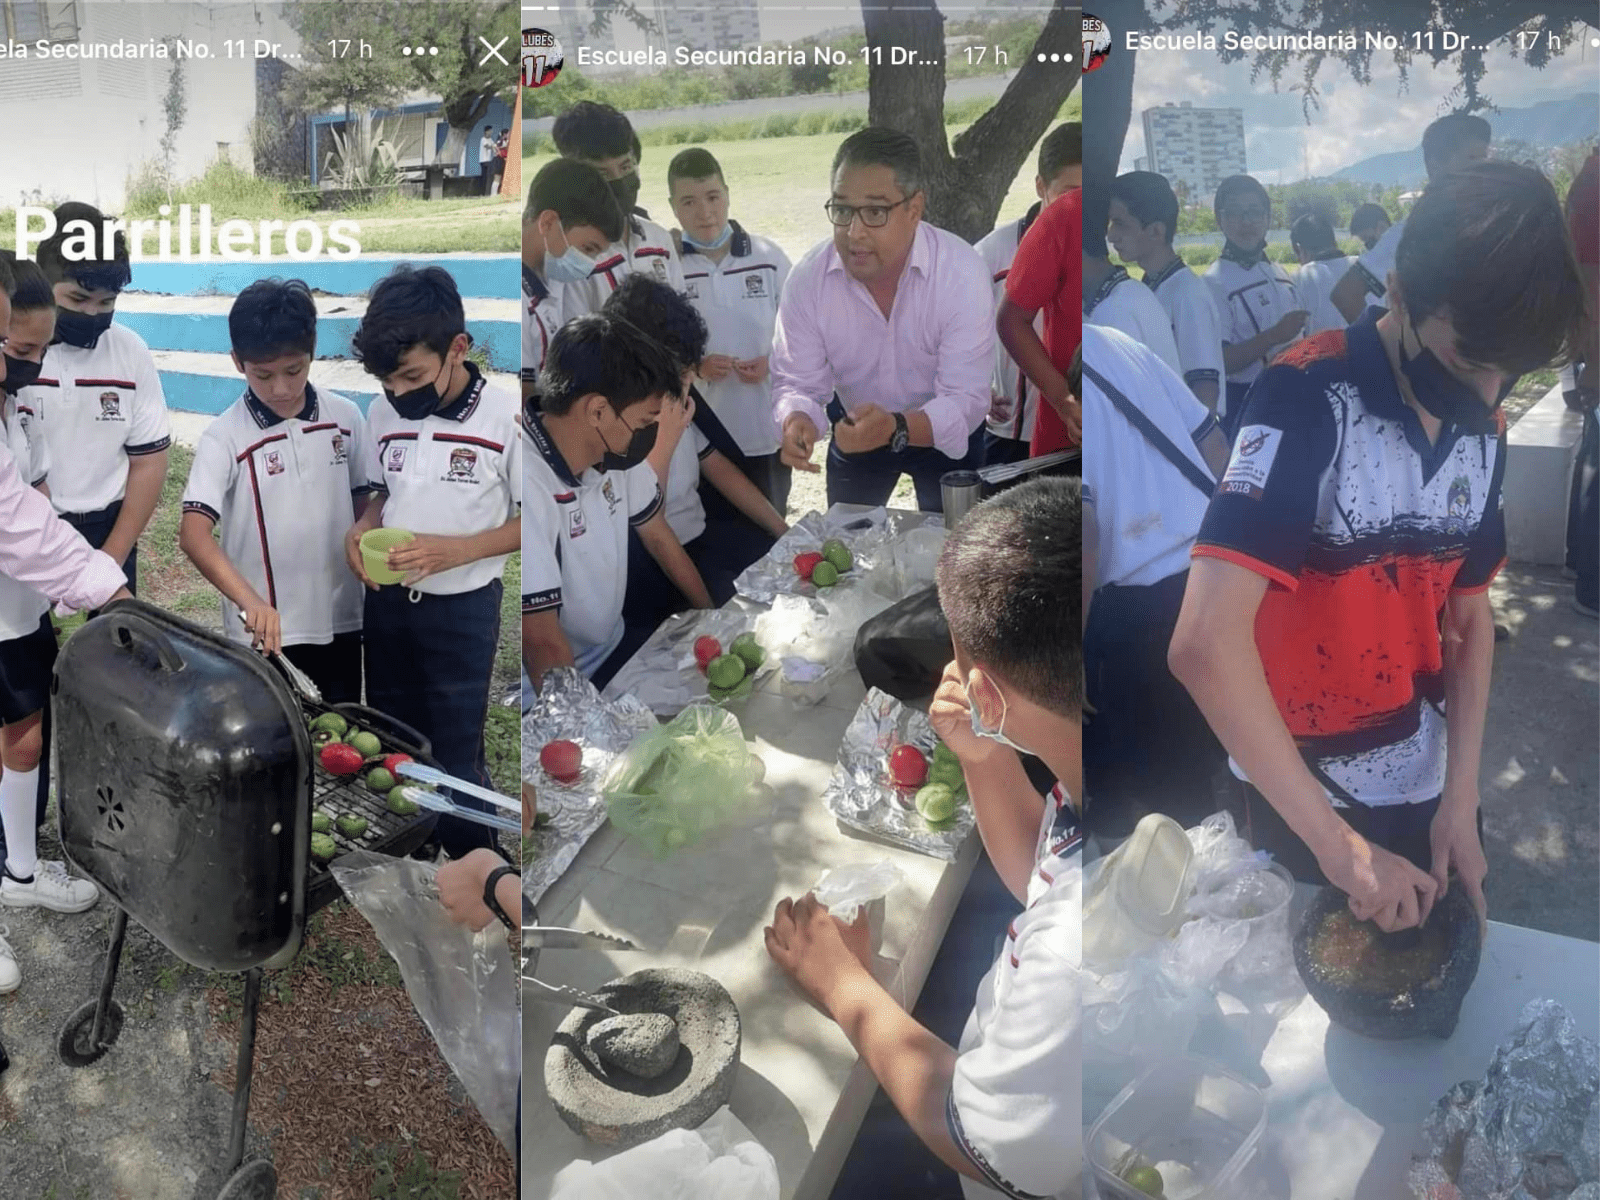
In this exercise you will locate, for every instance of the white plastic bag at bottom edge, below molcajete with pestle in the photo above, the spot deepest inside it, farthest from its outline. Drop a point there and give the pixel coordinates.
(721, 1161)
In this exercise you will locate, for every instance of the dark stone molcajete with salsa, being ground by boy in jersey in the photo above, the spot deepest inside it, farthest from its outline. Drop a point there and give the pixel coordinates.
(1390, 985)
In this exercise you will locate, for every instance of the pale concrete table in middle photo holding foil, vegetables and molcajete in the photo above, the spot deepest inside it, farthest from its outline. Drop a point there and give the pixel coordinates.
(801, 1087)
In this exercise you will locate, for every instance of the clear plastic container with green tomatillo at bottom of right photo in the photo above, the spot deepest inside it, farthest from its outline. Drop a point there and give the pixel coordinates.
(1190, 1119)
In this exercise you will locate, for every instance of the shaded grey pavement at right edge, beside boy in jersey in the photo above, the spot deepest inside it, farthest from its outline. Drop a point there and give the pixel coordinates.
(1542, 823)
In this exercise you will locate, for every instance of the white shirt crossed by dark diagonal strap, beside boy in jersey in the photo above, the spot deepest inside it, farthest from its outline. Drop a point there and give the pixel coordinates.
(1146, 513)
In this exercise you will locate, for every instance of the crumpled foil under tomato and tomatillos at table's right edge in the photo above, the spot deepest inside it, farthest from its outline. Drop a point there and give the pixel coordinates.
(862, 793)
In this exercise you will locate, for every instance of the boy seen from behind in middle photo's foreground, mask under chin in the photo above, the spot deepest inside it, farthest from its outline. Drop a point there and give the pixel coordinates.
(1004, 1108)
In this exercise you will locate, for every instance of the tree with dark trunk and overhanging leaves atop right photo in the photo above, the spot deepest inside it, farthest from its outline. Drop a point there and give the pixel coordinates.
(1545, 36)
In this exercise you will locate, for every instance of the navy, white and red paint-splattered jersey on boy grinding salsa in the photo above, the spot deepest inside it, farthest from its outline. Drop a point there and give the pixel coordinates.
(1362, 529)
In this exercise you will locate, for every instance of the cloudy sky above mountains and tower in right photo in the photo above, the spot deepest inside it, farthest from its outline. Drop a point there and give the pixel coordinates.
(1354, 122)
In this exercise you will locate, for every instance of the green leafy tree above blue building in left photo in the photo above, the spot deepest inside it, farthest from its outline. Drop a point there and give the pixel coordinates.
(455, 74)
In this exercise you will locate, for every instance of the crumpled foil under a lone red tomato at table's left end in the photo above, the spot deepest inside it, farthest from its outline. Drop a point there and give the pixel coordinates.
(570, 708)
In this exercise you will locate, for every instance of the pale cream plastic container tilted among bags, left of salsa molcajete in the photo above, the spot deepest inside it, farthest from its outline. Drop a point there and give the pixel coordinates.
(1137, 894)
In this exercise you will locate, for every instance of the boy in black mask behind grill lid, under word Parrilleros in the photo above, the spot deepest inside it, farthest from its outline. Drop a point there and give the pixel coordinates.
(108, 428)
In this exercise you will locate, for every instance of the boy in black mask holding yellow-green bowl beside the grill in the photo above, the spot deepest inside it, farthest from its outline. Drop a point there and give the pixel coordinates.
(446, 463)
